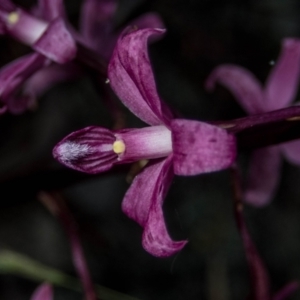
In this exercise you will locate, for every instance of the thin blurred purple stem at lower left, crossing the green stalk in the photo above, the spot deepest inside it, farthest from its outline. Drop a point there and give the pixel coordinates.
(57, 207)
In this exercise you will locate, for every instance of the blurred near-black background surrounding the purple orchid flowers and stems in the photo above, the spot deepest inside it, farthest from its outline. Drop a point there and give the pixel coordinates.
(200, 35)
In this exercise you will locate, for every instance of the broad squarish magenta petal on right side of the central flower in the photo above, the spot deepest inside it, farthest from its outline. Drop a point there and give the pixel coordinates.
(200, 147)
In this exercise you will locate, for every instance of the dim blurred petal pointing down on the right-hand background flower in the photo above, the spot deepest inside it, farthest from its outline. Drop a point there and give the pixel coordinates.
(263, 176)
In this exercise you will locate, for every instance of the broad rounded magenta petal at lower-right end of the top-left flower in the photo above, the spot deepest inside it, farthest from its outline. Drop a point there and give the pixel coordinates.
(56, 43)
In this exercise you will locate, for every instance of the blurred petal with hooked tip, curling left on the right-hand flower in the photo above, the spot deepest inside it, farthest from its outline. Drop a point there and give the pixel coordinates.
(242, 84)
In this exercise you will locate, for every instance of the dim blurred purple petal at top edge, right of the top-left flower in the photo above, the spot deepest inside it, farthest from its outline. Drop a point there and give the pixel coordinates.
(96, 22)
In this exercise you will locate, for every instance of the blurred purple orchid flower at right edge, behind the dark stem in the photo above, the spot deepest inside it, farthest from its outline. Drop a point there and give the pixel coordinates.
(280, 90)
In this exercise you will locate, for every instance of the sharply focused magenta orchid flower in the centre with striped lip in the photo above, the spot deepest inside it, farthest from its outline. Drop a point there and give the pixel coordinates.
(174, 146)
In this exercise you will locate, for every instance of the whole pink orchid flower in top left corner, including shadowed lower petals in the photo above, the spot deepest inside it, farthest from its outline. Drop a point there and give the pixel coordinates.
(50, 39)
